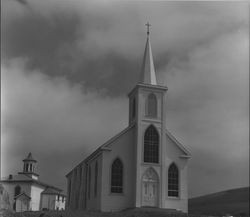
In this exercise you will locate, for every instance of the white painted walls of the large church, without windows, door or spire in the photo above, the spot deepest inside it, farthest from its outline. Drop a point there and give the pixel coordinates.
(129, 148)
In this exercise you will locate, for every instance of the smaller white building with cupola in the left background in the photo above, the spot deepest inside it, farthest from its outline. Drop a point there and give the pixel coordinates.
(25, 192)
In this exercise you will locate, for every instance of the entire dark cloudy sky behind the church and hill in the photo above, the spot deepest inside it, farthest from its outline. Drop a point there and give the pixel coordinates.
(67, 67)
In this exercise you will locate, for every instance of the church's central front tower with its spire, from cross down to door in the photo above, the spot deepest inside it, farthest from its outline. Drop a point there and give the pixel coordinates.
(147, 106)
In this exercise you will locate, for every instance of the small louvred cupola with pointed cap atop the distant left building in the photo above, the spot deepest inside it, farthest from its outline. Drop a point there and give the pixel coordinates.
(29, 164)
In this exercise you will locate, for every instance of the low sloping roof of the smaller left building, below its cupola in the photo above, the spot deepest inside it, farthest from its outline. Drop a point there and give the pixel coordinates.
(25, 178)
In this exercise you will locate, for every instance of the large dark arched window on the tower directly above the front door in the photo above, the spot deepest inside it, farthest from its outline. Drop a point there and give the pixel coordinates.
(151, 145)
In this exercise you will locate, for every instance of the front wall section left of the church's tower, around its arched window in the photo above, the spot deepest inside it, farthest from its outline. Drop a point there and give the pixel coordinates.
(124, 149)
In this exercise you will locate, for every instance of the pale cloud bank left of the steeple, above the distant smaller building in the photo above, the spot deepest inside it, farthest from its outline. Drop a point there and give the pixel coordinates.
(51, 117)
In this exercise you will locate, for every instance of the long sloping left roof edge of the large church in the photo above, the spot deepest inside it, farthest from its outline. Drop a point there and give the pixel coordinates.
(104, 147)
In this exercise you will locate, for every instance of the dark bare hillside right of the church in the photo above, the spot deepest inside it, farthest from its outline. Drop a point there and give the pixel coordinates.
(234, 202)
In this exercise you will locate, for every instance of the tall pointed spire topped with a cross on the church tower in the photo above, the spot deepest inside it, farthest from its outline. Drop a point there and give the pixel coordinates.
(148, 69)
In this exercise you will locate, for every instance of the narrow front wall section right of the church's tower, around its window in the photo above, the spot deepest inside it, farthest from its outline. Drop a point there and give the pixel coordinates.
(173, 155)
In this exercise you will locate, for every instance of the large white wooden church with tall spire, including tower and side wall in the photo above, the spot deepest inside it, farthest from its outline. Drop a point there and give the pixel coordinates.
(142, 166)
